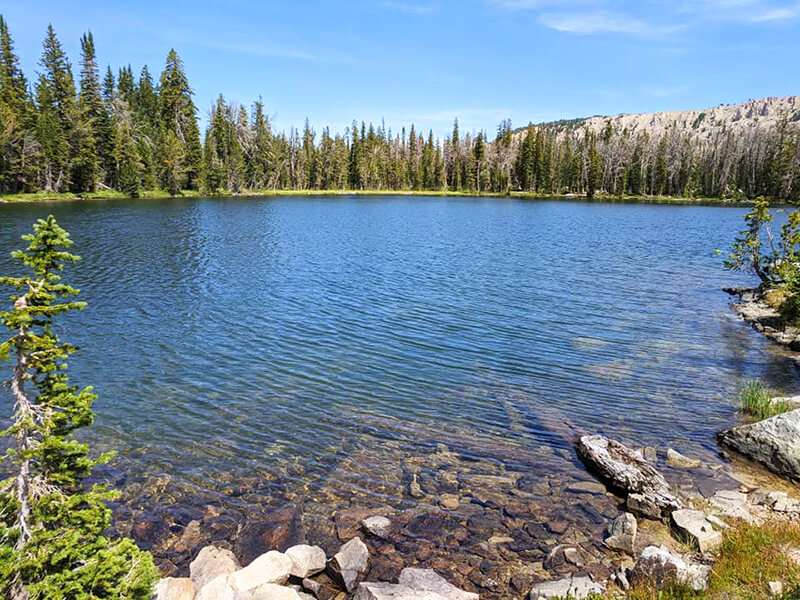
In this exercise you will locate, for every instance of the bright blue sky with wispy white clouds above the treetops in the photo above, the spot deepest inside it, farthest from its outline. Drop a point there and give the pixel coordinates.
(429, 62)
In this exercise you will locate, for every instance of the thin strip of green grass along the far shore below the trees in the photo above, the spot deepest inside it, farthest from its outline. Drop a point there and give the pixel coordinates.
(151, 194)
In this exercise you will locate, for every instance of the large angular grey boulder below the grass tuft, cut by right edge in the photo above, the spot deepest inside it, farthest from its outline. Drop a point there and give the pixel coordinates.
(774, 442)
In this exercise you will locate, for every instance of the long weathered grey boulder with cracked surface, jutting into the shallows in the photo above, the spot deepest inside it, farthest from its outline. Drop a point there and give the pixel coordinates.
(626, 470)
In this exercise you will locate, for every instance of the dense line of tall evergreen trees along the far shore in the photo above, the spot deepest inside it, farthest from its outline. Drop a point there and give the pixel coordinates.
(132, 133)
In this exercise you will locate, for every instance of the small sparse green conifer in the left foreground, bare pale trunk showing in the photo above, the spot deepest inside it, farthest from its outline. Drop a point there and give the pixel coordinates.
(51, 524)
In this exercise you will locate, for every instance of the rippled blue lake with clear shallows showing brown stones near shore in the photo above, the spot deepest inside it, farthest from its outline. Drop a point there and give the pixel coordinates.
(262, 362)
